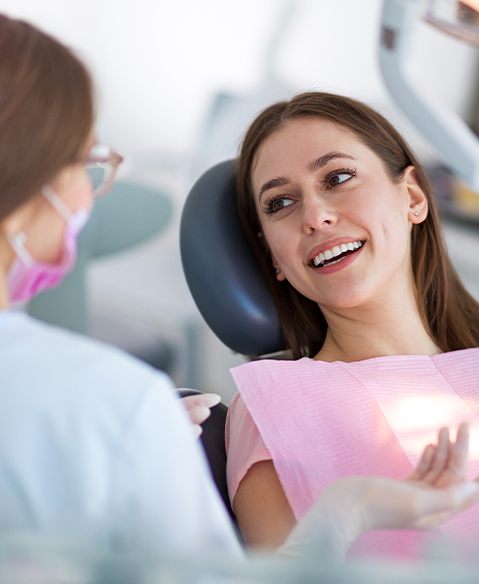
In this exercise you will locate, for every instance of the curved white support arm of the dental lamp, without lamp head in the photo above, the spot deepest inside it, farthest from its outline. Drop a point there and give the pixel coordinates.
(454, 141)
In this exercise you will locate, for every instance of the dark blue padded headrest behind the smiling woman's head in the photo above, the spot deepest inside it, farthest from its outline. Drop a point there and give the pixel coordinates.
(220, 269)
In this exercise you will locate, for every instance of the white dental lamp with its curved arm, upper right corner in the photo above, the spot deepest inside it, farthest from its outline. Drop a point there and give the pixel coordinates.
(454, 141)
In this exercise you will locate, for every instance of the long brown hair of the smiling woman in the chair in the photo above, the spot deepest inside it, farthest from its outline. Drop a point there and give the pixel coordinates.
(449, 313)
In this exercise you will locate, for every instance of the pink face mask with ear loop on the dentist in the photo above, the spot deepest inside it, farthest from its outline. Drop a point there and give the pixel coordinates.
(28, 277)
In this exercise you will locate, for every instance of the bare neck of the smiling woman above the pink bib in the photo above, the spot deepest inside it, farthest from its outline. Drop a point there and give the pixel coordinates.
(383, 327)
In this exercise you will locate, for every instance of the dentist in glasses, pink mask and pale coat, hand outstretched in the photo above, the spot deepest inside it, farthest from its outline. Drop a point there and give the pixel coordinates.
(95, 447)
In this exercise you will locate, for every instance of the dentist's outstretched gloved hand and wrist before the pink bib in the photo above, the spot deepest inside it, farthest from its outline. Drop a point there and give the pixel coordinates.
(435, 491)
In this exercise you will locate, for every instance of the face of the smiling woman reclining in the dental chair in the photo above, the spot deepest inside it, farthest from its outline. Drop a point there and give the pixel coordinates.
(337, 226)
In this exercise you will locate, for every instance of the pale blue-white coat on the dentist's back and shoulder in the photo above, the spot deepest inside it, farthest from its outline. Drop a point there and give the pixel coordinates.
(95, 445)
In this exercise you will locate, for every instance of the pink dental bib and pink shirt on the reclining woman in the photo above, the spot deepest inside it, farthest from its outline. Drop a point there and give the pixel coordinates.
(322, 421)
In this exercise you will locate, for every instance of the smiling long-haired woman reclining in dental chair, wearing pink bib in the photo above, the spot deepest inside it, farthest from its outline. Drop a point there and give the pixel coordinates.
(341, 218)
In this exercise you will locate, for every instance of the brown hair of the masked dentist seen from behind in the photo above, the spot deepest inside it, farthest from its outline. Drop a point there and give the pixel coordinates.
(46, 111)
